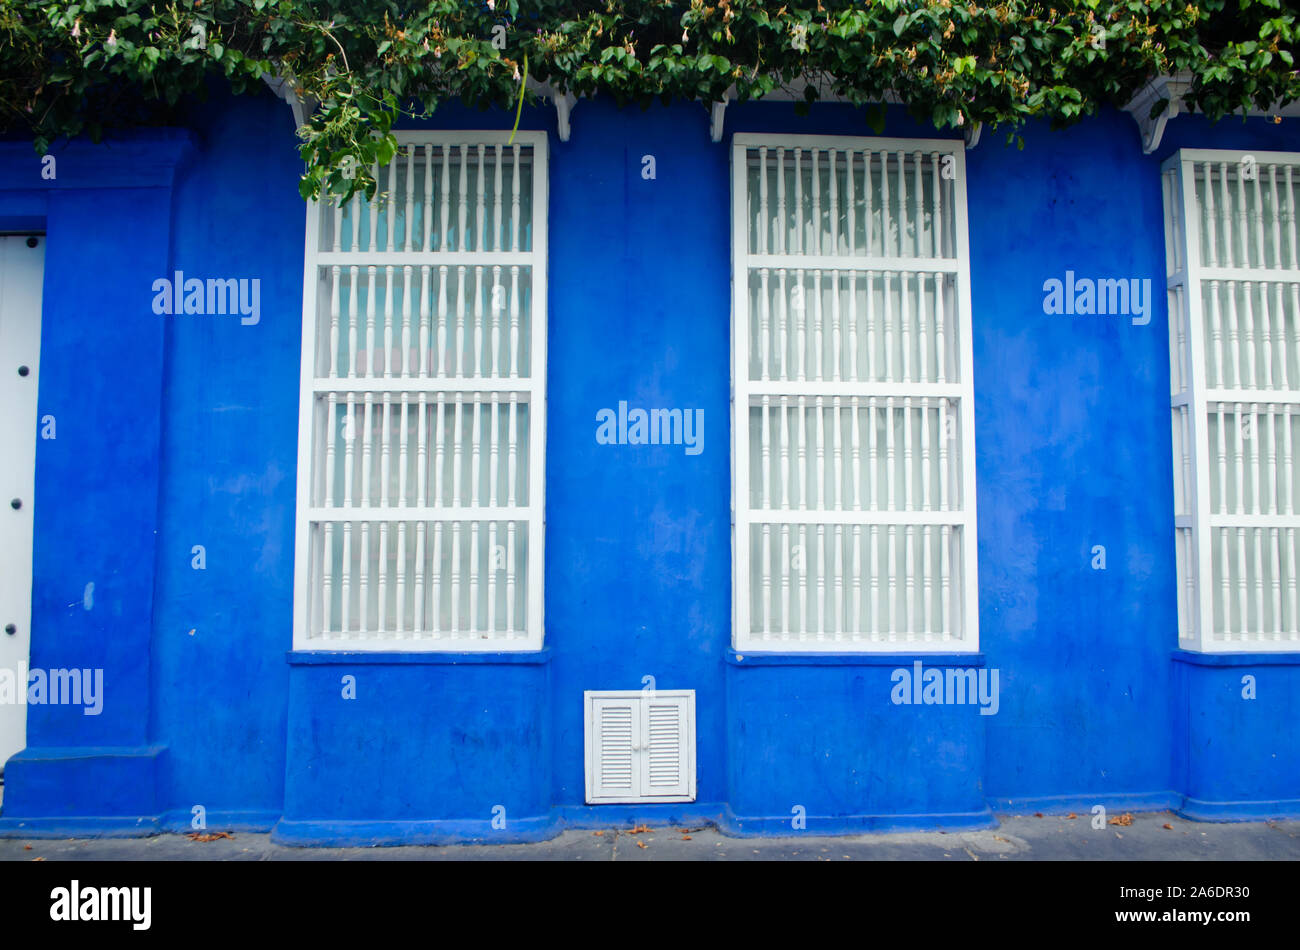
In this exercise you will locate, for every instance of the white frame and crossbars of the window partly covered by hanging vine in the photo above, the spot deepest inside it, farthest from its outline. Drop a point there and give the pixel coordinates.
(534, 388)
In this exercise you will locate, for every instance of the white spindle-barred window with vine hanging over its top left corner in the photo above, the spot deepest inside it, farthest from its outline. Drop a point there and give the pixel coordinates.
(422, 431)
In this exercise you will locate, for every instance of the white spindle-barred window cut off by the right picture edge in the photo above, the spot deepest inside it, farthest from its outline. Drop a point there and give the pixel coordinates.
(1234, 302)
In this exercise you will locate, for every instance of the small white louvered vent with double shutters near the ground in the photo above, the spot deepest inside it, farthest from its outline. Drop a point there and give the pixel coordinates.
(642, 747)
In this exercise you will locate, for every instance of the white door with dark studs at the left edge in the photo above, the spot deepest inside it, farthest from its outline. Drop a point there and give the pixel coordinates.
(20, 362)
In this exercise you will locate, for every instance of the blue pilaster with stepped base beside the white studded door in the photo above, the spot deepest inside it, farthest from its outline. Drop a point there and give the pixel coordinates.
(109, 216)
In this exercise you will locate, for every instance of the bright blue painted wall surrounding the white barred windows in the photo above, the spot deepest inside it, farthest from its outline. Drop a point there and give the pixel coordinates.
(205, 708)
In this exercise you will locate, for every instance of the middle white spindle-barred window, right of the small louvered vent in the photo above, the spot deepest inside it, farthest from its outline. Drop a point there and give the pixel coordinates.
(853, 458)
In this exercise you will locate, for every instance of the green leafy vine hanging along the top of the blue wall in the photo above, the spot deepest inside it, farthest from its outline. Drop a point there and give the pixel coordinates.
(89, 67)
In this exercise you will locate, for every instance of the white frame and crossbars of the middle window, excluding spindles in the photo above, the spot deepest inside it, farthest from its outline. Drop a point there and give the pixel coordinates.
(744, 389)
